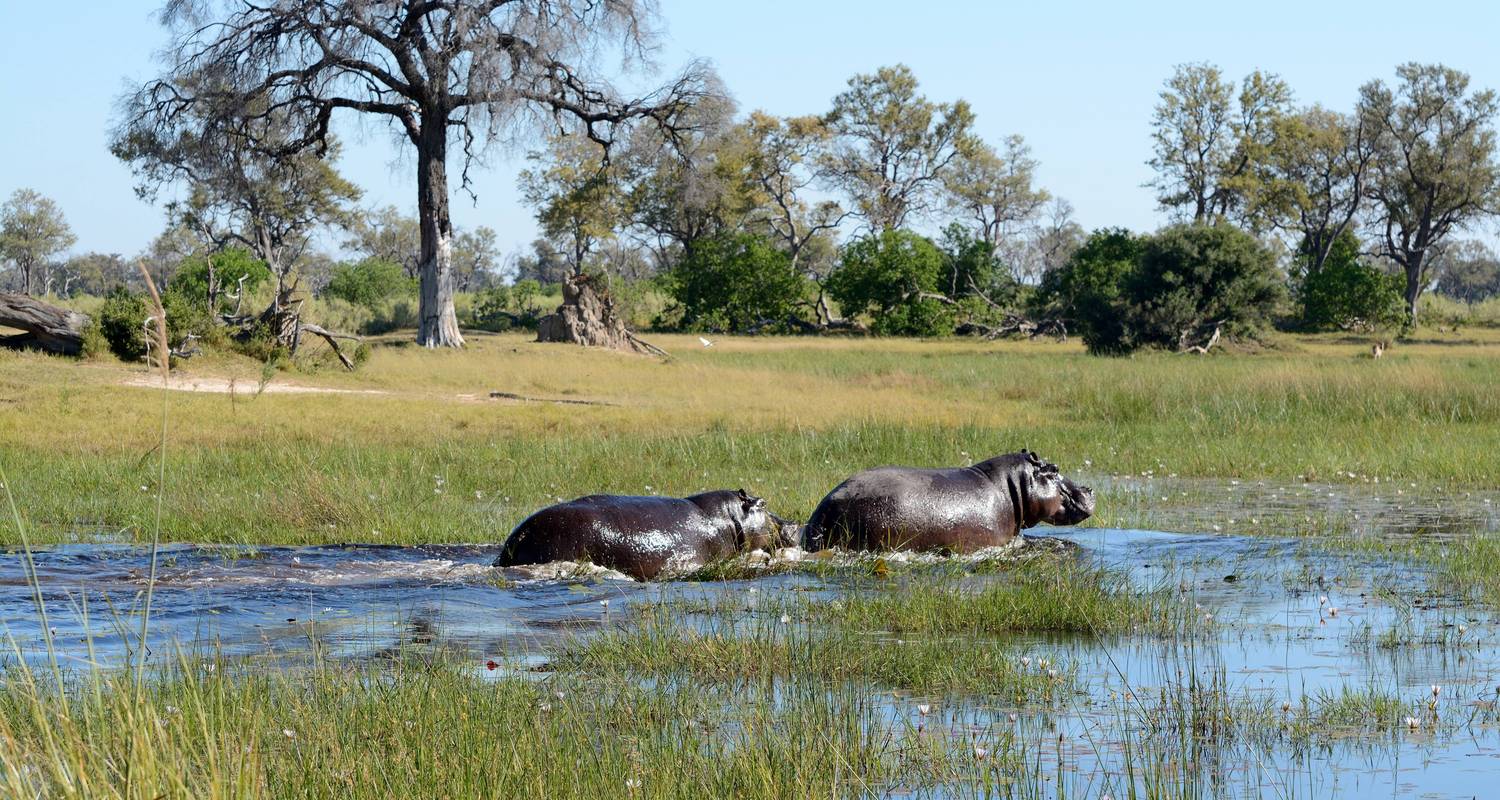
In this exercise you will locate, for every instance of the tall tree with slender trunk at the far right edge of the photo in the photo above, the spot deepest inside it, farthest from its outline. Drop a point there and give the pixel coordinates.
(1435, 164)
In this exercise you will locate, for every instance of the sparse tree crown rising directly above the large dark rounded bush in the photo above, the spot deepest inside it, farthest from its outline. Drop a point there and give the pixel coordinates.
(1210, 142)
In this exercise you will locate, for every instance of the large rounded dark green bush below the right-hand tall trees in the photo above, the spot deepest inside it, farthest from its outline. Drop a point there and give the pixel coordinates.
(1195, 280)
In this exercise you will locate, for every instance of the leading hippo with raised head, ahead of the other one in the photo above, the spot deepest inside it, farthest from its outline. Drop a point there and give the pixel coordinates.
(962, 510)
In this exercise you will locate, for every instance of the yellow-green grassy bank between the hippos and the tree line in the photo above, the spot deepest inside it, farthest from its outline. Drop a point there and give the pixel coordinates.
(415, 450)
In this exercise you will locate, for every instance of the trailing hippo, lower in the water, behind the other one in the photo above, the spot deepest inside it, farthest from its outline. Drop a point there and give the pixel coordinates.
(646, 537)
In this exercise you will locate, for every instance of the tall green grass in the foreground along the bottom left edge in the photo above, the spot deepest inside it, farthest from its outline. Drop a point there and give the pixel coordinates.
(437, 730)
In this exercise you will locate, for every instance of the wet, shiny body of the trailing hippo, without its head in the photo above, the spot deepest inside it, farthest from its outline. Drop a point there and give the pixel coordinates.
(634, 535)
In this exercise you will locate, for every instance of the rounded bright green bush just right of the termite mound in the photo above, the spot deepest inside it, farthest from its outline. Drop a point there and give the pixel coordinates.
(734, 281)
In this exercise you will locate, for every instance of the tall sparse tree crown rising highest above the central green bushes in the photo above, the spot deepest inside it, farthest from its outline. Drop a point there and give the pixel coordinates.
(893, 146)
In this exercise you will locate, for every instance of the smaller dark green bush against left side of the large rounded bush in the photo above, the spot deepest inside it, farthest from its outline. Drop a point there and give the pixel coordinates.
(1088, 292)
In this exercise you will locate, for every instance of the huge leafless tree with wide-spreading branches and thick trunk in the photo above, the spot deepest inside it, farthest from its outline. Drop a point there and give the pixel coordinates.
(442, 71)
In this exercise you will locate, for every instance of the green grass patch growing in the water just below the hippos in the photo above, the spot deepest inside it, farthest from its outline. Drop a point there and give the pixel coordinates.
(931, 631)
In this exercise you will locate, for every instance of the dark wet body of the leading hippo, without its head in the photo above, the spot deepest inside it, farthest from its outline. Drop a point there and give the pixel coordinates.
(907, 508)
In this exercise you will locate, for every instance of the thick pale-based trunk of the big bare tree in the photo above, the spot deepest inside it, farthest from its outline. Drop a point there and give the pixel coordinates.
(439, 323)
